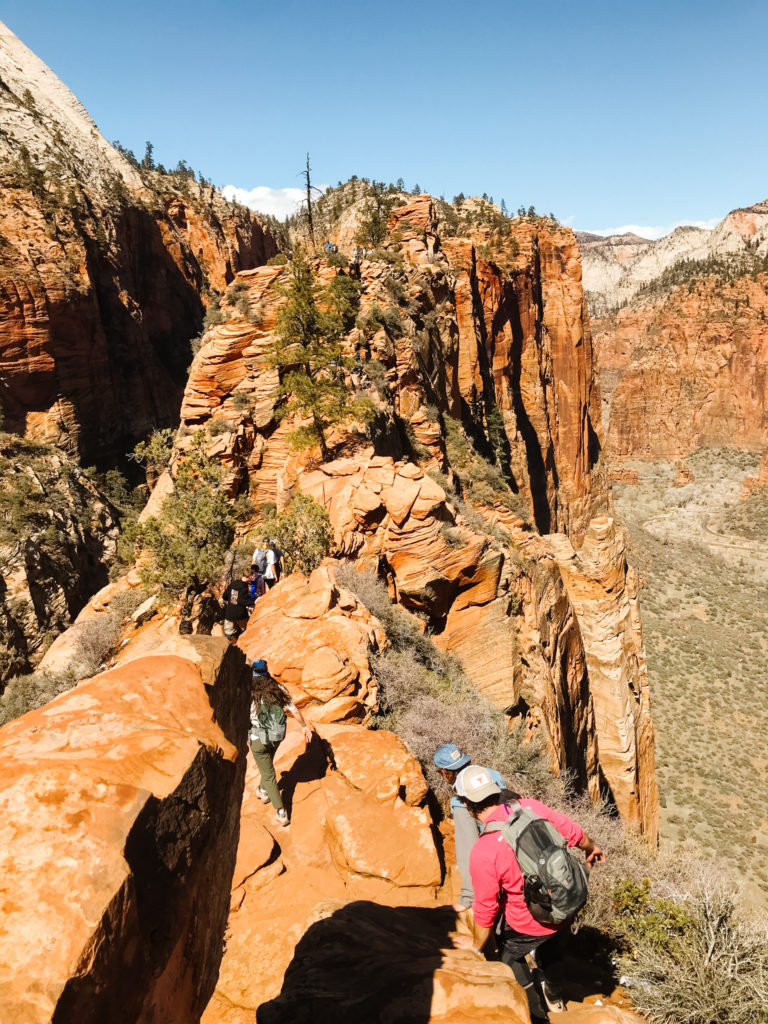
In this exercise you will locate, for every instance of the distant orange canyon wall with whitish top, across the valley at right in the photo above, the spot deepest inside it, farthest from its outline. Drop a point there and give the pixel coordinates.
(681, 331)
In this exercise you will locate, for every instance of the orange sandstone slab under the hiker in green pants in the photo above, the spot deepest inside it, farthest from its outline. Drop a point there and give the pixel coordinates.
(360, 831)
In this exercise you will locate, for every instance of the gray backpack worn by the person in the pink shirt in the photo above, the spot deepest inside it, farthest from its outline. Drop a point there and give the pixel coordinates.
(554, 881)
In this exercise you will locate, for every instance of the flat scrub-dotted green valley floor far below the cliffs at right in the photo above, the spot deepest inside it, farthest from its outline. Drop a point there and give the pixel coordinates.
(704, 557)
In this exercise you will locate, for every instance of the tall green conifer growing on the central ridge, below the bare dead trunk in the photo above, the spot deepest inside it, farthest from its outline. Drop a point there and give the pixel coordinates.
(308, 353)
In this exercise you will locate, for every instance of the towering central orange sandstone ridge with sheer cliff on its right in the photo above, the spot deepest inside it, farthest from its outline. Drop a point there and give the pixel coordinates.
(465, 344)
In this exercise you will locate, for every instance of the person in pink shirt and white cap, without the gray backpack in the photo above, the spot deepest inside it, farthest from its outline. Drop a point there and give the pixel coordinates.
(495, 870)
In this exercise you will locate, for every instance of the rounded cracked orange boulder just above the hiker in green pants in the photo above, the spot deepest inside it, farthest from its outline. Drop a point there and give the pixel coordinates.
(317, 639)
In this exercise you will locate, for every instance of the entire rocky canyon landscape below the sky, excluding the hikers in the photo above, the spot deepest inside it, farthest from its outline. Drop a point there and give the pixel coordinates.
(519, 481)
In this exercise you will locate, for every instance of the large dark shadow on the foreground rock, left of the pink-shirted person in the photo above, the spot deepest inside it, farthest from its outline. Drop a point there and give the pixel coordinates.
(365, 964)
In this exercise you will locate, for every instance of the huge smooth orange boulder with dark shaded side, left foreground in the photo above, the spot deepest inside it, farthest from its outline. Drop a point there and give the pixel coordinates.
(120, 820)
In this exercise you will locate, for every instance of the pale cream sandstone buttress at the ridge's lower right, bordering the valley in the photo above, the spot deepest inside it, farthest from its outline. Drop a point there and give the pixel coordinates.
(604, 592)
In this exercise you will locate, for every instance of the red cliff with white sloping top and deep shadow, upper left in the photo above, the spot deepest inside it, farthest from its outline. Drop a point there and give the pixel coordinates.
(101, 273)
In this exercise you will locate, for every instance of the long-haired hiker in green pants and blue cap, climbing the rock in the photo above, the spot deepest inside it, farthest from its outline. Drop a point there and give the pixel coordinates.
(270, 702)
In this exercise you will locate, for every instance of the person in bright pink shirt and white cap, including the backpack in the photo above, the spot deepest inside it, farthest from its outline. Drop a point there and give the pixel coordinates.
(523, 857)
